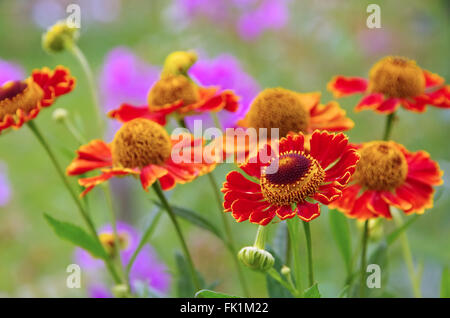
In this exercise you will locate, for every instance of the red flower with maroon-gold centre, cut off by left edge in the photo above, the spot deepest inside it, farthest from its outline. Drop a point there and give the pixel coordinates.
(21, 101)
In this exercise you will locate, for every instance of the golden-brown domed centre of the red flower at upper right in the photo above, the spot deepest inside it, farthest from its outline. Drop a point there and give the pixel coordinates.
(396, 77)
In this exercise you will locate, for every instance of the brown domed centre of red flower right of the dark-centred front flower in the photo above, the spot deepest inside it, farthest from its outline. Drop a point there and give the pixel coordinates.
(382, 166)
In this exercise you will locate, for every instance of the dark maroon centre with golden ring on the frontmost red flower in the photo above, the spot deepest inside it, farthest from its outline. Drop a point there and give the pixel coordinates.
(298, 176)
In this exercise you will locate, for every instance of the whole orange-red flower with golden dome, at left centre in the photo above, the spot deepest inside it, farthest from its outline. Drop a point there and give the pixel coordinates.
(141, 148)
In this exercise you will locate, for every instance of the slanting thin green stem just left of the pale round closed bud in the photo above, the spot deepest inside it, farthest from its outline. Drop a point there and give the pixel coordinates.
(230, 241)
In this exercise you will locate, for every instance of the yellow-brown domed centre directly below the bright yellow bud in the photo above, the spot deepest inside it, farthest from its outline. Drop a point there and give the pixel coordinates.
(173, 88)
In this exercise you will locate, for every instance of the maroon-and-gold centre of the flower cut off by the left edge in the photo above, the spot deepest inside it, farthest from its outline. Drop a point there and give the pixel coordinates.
(16, 95)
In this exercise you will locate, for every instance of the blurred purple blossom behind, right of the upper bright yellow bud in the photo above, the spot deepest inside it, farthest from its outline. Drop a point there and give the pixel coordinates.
(226, 72)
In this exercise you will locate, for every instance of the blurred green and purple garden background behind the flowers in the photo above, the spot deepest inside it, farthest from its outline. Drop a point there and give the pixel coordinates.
(298, 45)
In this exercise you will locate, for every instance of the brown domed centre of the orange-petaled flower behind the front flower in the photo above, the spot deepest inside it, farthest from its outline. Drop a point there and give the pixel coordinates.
(278, 108)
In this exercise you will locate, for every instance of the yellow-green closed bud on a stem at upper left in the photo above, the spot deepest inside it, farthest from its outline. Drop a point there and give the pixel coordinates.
(59, 37)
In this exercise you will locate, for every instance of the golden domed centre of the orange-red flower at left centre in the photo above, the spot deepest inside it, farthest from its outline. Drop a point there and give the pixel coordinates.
(139, 143)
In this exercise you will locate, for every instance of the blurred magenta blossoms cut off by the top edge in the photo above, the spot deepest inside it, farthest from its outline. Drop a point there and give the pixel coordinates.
(251, 17)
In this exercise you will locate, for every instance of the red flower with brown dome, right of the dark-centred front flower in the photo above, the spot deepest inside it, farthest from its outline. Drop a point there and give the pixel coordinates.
(389, 175)
